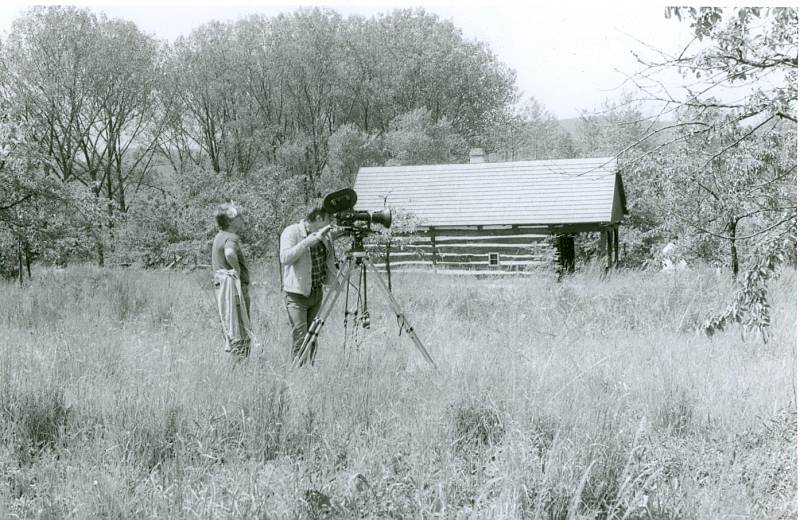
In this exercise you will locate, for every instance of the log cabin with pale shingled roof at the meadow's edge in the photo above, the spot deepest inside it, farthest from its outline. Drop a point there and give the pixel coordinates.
(498, 217)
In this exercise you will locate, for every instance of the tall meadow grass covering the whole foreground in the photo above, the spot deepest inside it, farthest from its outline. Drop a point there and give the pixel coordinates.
(592, 397)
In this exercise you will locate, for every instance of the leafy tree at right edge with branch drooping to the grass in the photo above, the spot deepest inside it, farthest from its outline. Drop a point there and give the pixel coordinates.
(738, 157)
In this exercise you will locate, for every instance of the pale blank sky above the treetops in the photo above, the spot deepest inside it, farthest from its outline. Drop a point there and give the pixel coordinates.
(568, 56)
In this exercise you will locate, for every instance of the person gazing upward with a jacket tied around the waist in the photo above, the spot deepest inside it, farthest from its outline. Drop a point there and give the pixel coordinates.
(232, 281)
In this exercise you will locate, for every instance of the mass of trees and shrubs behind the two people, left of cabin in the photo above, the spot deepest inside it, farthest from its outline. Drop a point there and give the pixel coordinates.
(273, 112)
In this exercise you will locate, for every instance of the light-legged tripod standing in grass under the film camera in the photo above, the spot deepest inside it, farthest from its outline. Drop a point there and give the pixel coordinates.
(356, 260)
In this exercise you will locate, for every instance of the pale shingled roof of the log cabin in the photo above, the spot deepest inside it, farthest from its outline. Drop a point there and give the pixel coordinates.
(544, 193)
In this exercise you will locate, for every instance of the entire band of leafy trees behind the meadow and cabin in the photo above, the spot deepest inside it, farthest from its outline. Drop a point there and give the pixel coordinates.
(115, 145)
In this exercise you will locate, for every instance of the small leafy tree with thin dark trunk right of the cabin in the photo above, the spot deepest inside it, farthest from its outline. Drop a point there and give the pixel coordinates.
(718, 185)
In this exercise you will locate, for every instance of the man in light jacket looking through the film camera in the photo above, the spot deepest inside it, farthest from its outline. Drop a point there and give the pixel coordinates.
(308, 260)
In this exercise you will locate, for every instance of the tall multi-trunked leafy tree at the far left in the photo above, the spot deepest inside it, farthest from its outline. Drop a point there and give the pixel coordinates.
(84, 88)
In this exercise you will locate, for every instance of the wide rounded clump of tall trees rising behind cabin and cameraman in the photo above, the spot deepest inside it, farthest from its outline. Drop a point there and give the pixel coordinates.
(244, 94)
